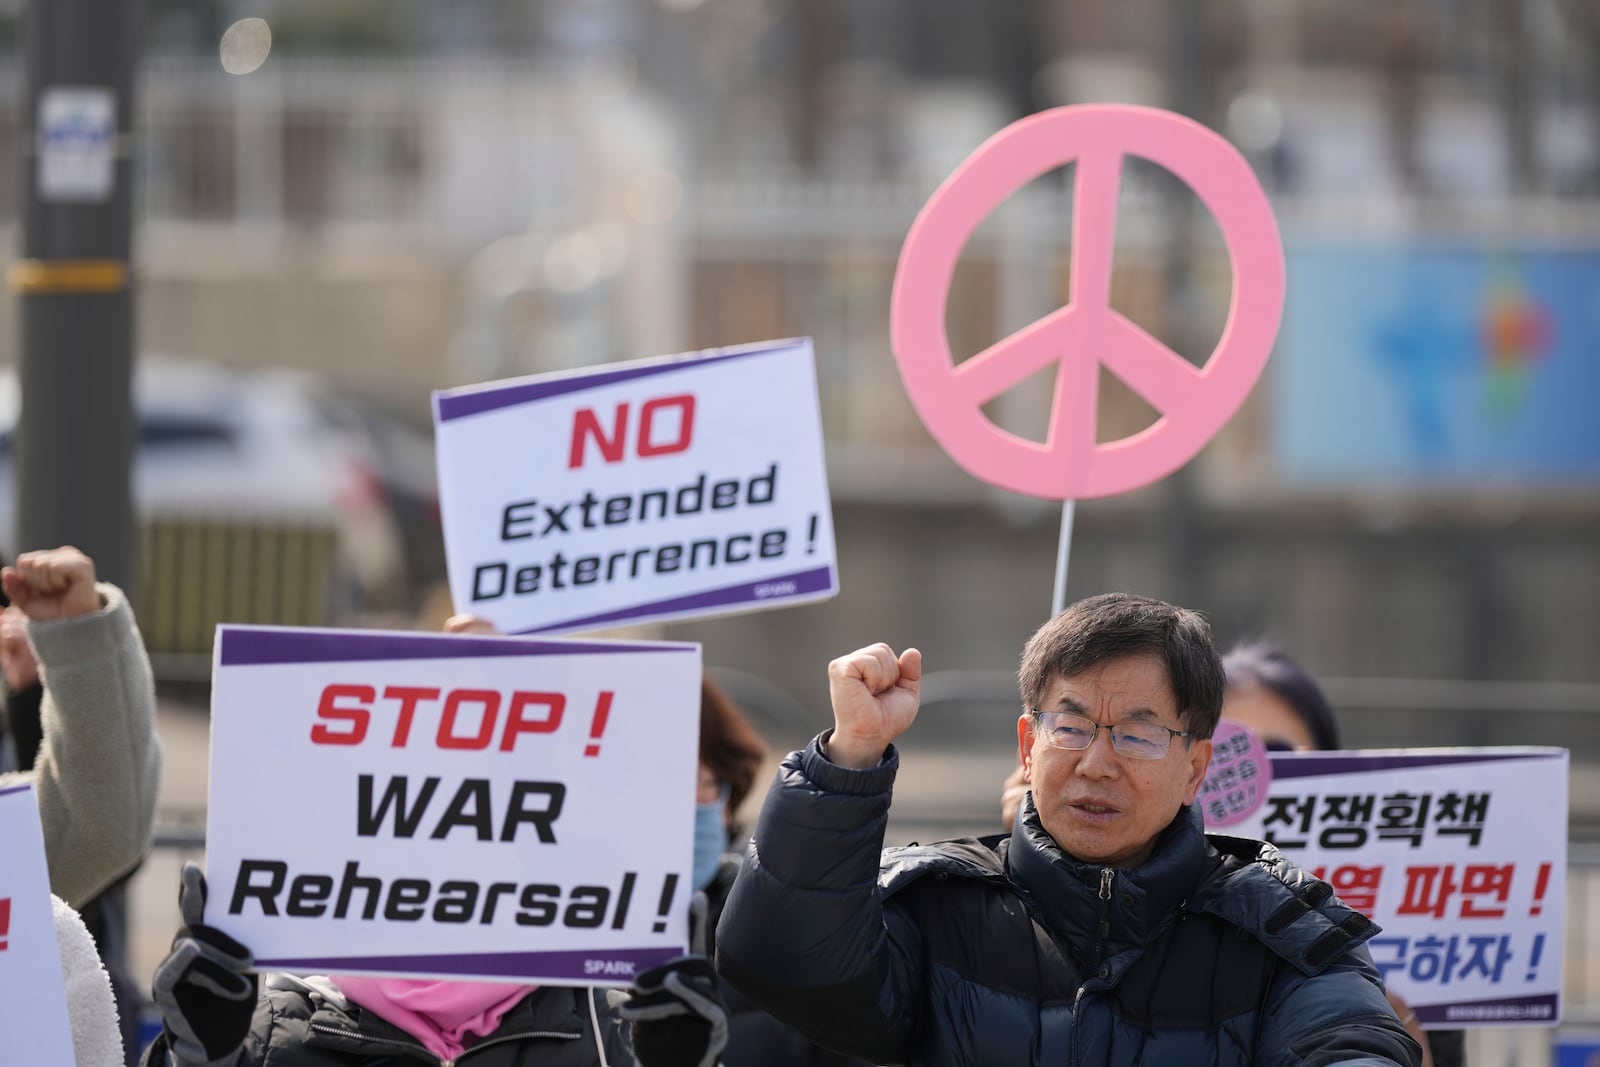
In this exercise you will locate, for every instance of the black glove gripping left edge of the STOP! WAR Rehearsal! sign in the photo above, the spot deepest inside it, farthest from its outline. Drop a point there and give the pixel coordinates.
(204, 988)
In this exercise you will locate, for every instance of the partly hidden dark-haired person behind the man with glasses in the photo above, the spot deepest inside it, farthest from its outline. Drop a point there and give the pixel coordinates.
(1278, 700)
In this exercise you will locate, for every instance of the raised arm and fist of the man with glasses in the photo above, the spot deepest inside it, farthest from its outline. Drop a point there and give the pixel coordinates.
(806, 932)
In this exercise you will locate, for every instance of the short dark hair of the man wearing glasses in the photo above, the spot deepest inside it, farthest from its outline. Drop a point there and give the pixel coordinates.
(1111, 626)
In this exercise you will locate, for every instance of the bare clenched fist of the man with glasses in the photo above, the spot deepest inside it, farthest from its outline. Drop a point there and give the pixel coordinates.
(876, 697)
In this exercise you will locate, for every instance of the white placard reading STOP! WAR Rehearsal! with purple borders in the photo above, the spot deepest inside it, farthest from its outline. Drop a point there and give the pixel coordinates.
(452, 805)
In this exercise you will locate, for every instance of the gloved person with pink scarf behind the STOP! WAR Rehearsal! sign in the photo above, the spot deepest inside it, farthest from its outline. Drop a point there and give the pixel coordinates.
(218, 1013)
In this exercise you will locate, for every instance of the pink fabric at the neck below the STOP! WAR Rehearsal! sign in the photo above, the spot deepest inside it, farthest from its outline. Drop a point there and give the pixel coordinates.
(439, 1015)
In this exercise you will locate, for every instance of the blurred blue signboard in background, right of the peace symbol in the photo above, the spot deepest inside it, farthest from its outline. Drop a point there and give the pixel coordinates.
(1455, 364)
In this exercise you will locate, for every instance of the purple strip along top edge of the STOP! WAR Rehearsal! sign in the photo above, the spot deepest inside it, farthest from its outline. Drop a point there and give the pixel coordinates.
(244, 647)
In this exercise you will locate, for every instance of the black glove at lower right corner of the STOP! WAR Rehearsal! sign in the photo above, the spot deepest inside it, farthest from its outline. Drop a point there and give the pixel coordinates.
(679, 1018)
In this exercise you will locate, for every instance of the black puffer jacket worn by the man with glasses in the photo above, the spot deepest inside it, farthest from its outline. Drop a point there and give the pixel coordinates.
(1006, 951)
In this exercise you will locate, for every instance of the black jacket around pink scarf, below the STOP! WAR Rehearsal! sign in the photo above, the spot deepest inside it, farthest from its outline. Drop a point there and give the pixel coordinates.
(308, 1023)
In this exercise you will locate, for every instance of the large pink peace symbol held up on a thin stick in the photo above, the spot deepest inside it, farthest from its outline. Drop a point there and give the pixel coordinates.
(1087, 334)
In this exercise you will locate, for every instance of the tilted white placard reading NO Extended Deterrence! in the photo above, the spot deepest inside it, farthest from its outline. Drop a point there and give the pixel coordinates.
(650, 490)
